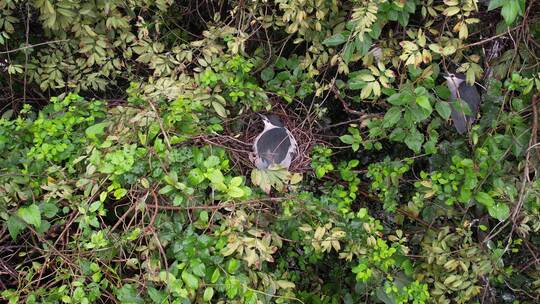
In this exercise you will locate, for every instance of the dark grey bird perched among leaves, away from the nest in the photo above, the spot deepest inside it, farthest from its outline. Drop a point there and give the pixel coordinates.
(460, 90)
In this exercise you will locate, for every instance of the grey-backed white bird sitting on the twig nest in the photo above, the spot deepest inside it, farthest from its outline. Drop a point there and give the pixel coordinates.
(275, 145)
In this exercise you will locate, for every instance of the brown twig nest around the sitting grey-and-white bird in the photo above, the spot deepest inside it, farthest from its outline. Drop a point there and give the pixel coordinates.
(240, 133)
